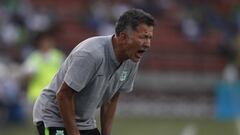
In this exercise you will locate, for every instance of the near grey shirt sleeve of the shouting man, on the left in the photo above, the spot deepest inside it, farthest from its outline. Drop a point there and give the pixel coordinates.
(81, 69)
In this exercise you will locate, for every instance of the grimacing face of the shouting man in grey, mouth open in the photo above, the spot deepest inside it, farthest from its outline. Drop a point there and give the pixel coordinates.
(138, 42)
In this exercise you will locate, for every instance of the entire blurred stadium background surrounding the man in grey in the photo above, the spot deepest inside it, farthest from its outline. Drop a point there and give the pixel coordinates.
(188, 83)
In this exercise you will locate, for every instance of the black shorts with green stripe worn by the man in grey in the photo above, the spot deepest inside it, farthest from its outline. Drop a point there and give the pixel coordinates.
(61, 131)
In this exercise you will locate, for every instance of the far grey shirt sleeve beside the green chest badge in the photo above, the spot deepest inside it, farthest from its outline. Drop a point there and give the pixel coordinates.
(128, 85)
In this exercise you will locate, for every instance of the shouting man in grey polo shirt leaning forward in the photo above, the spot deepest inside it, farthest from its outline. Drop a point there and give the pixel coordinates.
(92, 77)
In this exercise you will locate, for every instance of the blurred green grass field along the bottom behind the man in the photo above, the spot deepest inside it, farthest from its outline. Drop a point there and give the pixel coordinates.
(148, 126)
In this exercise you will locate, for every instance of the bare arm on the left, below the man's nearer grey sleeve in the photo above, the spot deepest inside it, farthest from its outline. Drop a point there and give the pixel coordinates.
(65, 97)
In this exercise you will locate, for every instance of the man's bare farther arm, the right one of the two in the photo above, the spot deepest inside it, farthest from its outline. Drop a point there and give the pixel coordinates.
(107, 114)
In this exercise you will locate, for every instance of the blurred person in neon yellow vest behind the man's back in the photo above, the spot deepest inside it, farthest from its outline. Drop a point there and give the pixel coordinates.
(41, 65)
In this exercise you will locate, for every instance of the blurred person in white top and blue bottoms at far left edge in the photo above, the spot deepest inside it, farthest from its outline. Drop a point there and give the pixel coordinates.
(11, 107)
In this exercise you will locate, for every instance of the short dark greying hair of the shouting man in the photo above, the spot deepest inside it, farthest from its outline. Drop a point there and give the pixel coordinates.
(132, 18)
